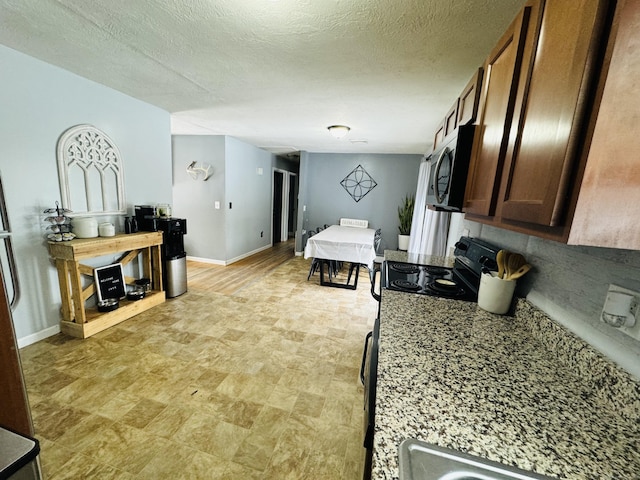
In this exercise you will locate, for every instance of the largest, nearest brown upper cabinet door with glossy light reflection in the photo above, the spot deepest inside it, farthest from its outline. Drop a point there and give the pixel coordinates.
(551, 112)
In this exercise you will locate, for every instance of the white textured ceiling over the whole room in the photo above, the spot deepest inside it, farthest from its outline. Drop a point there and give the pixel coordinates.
(274, 73)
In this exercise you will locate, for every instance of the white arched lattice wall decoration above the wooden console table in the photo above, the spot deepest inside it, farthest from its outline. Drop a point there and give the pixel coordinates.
(91, 172)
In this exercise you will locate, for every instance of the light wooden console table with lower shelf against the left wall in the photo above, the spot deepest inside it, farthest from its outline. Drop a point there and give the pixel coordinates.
(79, 321)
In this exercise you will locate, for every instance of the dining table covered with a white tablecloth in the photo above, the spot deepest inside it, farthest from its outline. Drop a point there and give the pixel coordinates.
(343, 244)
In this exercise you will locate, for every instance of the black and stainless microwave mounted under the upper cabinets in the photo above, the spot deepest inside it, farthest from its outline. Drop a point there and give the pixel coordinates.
(448, 168)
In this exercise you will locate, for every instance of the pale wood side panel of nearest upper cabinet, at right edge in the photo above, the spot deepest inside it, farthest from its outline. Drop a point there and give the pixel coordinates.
(607, 210)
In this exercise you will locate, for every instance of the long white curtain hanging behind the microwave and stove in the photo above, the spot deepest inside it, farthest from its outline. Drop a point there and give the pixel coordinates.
(429, 229)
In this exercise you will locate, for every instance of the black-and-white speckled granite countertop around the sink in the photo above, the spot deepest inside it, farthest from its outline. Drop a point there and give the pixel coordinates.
(519, 390)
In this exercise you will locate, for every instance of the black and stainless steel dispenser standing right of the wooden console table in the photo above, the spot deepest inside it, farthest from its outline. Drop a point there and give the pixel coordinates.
(174, 257)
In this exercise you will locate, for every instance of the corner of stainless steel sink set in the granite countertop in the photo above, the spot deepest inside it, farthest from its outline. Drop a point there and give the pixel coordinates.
(423, 461)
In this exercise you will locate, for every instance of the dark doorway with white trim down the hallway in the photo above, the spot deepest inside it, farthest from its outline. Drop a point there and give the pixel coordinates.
(285, 203)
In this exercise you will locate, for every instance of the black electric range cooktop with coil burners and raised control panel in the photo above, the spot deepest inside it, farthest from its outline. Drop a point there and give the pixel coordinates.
(459, 282)
